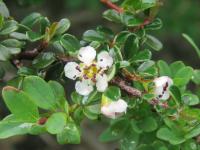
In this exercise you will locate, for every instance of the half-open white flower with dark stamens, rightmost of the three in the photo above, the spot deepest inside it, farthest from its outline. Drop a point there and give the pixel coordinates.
(162, 85)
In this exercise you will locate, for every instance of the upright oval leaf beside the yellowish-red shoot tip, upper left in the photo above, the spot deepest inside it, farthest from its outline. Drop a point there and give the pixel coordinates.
(63, 26)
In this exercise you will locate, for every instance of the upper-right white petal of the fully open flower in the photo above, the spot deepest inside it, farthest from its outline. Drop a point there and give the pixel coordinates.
(104, 60)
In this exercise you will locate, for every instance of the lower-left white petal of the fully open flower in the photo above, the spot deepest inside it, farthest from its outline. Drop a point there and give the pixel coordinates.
(84, 87)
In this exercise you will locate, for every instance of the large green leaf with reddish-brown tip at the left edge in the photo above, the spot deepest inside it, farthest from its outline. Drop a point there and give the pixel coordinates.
(20, 104)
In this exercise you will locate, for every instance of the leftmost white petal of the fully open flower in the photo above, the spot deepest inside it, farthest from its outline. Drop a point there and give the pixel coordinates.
(72, 70)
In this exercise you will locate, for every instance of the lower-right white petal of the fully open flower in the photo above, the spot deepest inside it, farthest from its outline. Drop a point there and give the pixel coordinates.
(102, 82)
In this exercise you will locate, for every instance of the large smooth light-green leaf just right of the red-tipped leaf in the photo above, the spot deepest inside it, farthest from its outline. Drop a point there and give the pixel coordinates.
(40, 92)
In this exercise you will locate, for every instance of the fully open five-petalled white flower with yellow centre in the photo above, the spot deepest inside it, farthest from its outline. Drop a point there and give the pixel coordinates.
(89, 71)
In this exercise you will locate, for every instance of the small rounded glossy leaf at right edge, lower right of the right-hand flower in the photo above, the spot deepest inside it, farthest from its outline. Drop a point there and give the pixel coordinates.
(190, 99)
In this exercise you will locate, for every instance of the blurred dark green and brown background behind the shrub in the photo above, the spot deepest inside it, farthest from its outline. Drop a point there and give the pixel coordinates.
(179, 16)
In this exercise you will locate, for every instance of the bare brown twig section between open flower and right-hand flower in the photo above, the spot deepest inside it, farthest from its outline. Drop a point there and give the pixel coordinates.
(123, 85)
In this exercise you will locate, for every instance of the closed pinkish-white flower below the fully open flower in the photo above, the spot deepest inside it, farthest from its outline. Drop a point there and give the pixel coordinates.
(114, 109)
